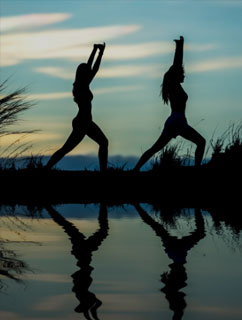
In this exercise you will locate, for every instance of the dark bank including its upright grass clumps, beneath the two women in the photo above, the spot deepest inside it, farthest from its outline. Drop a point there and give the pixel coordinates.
(170, 179)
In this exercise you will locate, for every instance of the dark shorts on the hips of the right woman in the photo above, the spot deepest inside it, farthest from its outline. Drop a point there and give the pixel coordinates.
(175, 124)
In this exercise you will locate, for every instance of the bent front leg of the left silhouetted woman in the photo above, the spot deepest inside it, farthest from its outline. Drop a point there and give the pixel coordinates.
(96, 134)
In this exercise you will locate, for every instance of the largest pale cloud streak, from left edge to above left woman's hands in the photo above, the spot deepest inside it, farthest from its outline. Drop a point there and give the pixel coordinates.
(57, 44)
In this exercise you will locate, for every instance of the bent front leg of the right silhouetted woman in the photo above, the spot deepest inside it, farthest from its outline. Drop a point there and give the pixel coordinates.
(192, 135)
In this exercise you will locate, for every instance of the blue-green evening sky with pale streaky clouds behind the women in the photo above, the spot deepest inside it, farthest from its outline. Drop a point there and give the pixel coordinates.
(42, 43)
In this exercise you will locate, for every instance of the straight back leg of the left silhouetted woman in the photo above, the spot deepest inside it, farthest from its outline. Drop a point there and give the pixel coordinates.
(74, 139)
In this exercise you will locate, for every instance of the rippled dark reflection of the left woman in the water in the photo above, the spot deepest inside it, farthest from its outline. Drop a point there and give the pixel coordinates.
(82, 250)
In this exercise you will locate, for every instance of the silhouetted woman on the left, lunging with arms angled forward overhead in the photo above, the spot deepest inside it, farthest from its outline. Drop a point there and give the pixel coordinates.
(82, 124)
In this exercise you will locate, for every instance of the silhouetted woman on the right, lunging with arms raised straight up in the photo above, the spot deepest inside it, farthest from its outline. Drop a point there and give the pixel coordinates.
(176, 124)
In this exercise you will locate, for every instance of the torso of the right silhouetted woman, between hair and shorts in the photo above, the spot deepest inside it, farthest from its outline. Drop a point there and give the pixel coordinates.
(178, 98)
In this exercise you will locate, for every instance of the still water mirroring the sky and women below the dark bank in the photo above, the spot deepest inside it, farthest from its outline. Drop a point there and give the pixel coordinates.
(140, 261)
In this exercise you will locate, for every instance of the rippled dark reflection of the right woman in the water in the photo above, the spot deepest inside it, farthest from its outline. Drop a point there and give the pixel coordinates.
(177, 250)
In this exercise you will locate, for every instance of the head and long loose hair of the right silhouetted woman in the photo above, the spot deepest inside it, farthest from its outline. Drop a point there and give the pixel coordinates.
(174, 75)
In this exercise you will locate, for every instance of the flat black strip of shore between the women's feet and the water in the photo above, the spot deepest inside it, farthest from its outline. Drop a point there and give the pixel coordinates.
(183, 186)
